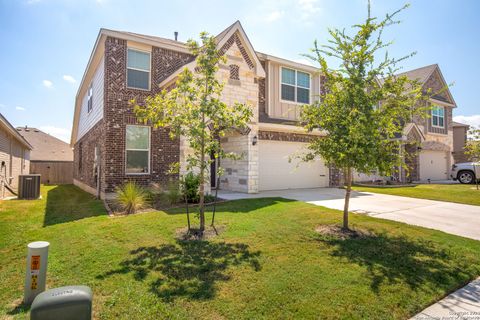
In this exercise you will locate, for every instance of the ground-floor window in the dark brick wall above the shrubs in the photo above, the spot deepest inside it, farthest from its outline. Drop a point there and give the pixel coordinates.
(137, 150)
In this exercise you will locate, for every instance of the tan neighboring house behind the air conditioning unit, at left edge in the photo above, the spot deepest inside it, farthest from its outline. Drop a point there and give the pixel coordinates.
(14, 157)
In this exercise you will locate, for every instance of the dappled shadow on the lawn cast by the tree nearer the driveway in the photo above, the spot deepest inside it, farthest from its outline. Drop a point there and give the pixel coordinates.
(399, 259)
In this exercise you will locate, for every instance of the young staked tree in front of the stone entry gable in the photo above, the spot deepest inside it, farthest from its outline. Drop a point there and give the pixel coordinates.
(194, 110)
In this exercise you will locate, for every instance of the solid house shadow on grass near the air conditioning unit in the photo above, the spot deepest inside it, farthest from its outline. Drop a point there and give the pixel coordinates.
(67, 203)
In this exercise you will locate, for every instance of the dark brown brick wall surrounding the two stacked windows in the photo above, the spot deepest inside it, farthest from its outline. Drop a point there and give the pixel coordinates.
(110, 133)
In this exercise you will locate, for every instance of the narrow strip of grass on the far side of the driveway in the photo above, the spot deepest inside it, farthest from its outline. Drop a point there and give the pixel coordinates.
(459, 193)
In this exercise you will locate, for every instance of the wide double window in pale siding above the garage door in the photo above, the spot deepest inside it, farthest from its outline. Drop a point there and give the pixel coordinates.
(295, 86)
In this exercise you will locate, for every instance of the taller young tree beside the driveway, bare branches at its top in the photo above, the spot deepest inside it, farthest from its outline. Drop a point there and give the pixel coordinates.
(363, 104)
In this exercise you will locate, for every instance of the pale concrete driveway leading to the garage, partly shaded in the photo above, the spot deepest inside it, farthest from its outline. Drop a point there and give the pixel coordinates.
(458, 219)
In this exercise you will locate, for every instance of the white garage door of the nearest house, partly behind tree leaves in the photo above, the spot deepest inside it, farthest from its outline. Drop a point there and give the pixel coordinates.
(277, 173)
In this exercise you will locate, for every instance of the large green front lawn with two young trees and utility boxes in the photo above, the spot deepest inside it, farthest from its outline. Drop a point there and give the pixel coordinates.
(268, 263)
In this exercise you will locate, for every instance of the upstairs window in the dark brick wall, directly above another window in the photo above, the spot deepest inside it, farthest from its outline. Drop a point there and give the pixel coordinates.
(138, 69)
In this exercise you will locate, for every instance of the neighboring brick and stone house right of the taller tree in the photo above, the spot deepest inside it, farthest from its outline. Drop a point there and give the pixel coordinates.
(427, 141)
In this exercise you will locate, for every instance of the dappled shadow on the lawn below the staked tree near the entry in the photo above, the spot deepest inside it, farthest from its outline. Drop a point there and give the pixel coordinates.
(187, 268)
